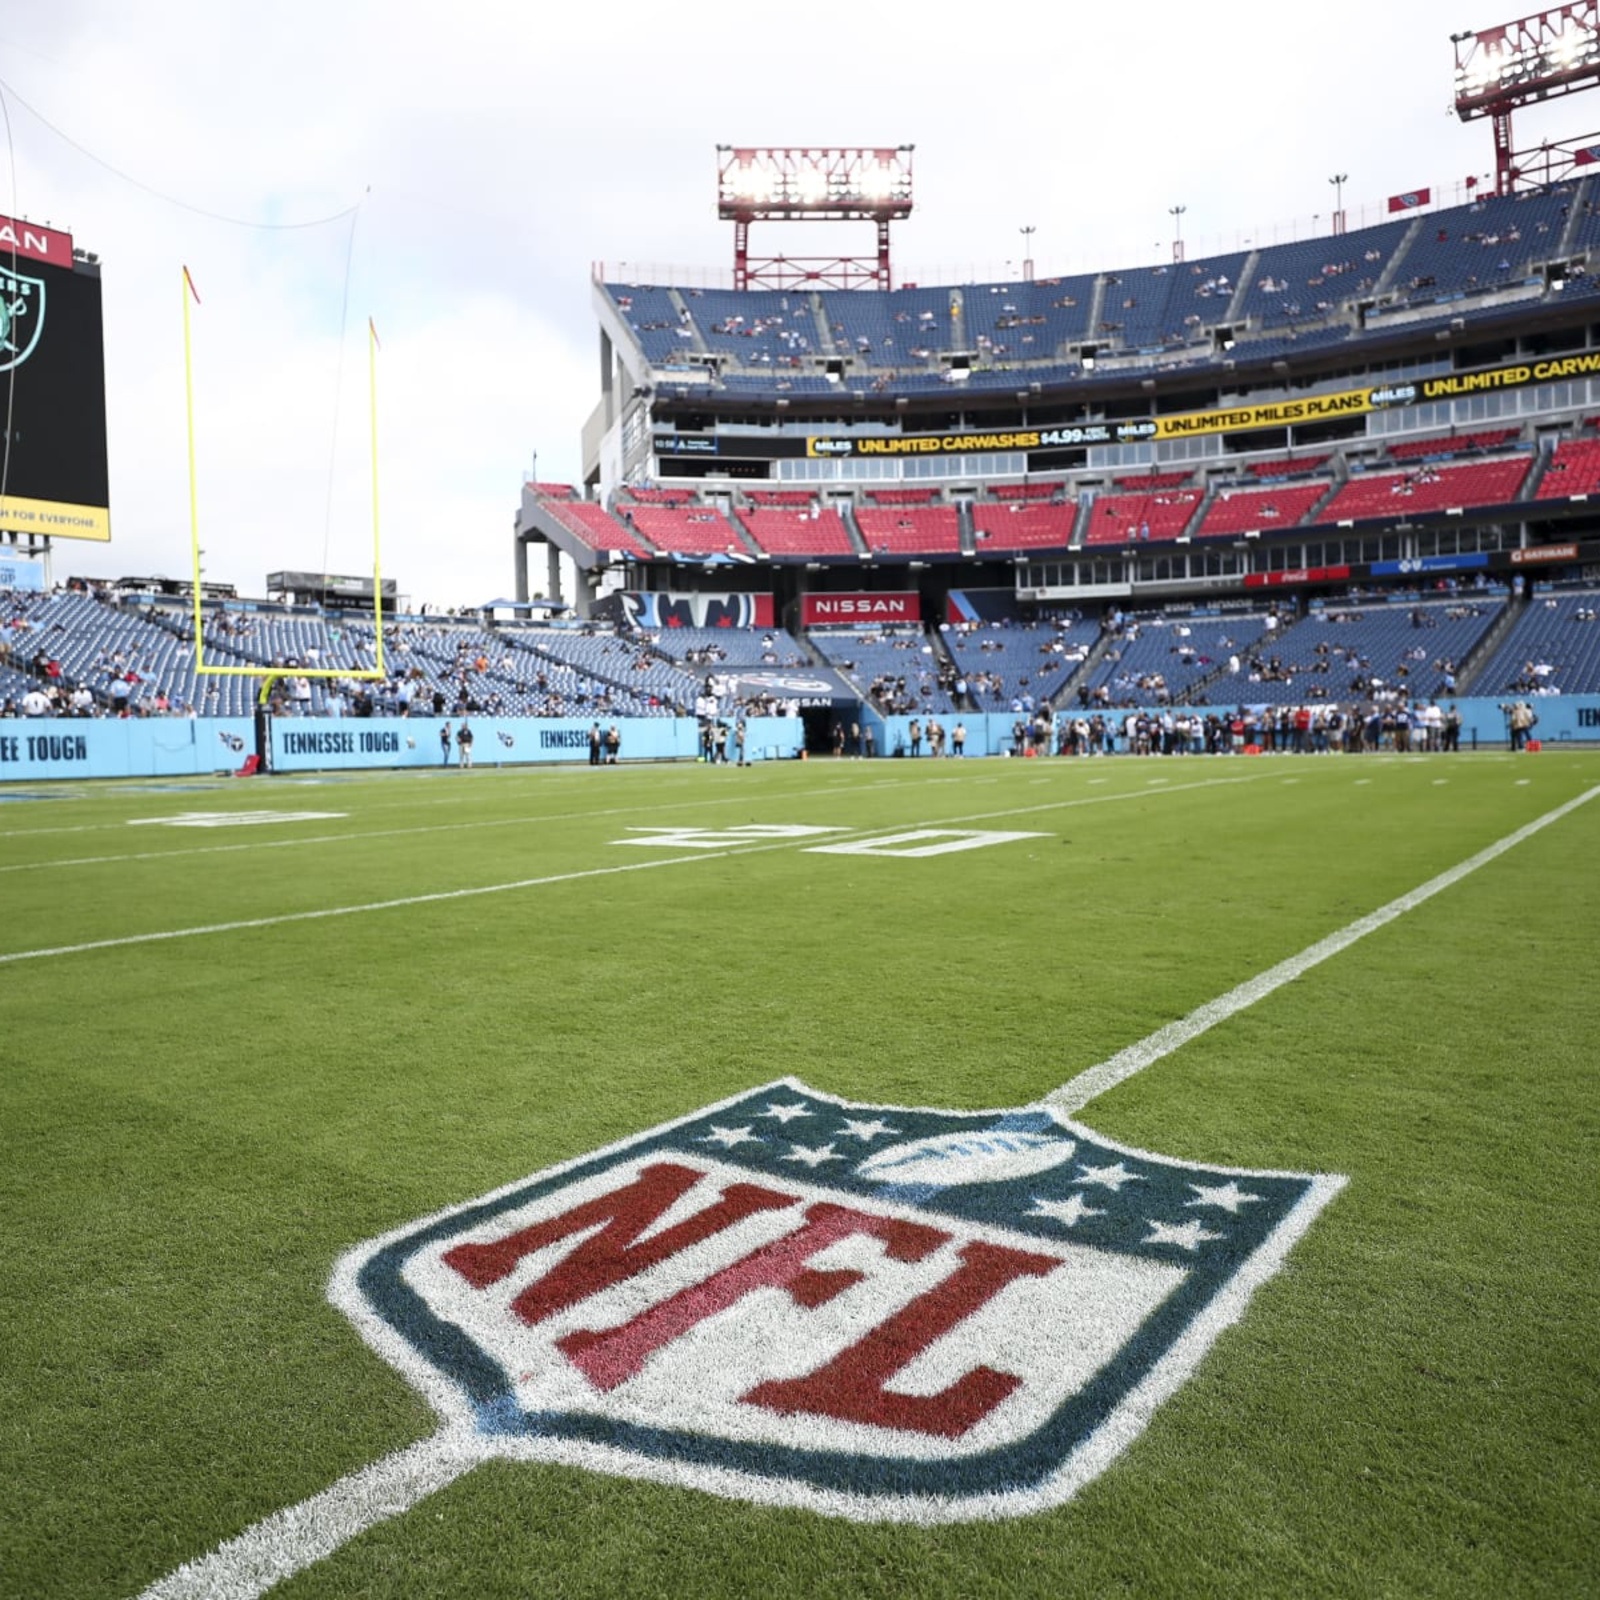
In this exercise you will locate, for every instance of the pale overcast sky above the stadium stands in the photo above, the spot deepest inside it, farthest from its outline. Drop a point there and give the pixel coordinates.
(494, 153)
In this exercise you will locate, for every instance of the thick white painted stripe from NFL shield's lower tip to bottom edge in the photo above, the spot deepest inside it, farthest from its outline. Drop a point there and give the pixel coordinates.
(281, 1545)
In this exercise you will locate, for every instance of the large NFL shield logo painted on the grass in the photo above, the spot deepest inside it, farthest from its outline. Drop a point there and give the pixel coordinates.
(876, 1313)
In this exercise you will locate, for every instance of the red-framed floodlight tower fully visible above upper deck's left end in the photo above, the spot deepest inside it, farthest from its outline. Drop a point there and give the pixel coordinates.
(814, 185)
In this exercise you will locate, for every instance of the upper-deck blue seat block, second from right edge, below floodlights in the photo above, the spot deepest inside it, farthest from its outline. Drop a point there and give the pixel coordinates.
(1497, 241)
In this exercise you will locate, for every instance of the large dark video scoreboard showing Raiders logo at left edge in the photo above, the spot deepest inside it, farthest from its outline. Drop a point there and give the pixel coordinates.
(52, 386)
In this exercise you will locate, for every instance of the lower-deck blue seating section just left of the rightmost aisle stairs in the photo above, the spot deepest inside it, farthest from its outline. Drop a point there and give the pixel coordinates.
(1348, 654)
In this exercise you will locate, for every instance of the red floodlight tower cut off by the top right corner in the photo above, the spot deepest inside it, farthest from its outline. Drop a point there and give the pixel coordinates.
(1538, 58)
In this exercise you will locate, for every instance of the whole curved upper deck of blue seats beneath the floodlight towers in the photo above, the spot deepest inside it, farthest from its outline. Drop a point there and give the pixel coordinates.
(1297, 297)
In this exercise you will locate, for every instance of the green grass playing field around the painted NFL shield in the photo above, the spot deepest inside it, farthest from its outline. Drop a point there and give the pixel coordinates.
(198, 1127)
